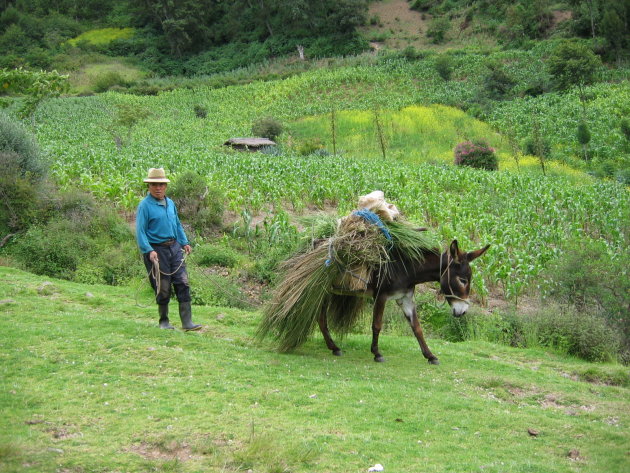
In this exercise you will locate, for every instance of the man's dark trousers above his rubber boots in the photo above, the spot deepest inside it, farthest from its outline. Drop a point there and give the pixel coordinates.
(171, 261)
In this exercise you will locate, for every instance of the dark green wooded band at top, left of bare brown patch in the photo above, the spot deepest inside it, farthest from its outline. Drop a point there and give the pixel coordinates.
(171, 32)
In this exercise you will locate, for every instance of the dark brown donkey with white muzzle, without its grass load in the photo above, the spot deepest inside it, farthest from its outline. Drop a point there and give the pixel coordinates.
(398, 282)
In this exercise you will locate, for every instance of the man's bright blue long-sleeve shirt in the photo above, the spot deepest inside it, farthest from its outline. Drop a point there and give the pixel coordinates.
(157, 223)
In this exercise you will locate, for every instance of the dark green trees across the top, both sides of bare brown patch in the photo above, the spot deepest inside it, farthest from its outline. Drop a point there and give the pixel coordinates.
(173, 37)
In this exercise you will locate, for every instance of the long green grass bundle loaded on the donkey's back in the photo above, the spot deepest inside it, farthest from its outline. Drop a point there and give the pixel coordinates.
(331, 273)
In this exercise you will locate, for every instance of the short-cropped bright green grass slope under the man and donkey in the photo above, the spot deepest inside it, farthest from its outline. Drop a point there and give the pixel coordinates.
(88, 383)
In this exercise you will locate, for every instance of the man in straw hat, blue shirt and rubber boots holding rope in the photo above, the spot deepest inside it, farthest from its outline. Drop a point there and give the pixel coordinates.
(162, 241)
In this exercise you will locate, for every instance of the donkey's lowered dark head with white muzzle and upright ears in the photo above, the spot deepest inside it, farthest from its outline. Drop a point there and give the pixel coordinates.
(455, 276)
